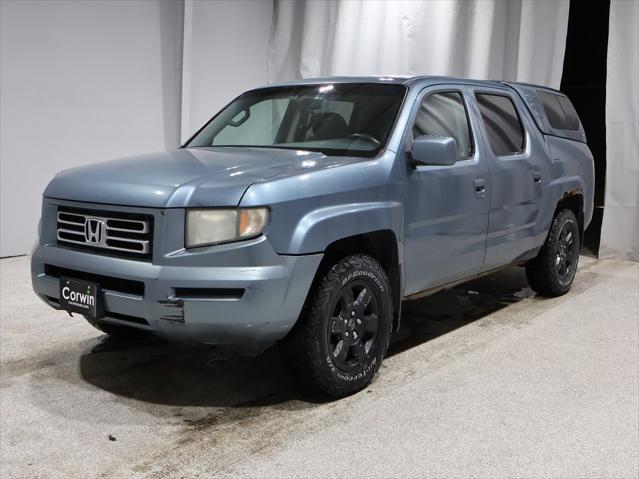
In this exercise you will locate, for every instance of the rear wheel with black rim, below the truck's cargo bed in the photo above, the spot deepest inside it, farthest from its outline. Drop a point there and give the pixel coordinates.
(551, 273)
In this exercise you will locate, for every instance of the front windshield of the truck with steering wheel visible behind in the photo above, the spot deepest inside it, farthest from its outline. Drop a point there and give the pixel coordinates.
(352, 119)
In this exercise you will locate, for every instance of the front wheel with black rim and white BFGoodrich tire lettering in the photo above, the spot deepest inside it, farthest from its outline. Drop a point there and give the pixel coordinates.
(341, 337)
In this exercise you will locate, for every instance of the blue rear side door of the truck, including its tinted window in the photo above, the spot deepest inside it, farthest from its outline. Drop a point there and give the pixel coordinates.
(517, 175)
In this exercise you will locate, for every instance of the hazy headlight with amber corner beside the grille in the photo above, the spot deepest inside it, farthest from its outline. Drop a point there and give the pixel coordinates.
(209, 226)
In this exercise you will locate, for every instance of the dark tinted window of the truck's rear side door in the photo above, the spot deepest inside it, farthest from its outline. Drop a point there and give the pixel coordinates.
(503, 126)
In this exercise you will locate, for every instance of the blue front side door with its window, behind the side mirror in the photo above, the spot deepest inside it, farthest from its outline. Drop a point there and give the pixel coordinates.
(446, 207)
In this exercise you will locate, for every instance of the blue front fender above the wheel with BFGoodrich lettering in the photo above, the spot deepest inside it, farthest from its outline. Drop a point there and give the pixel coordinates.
(344, 198)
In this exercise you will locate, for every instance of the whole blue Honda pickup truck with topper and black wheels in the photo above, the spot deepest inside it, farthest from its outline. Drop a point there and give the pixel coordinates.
(304, 213)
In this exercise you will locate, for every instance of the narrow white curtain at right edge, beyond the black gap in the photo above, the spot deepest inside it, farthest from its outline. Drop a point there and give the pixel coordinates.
(620, 227)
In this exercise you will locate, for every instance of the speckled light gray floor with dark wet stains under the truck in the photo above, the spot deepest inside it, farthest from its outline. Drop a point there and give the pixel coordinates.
(485, 380)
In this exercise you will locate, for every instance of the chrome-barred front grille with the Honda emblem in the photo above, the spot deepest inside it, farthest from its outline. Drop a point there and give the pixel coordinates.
(118, 233)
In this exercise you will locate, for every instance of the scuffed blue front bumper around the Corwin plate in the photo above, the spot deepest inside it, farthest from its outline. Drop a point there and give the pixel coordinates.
(240, 293)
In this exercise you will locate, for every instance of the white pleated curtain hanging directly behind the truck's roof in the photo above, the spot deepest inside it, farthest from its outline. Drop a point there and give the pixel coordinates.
(509, 40)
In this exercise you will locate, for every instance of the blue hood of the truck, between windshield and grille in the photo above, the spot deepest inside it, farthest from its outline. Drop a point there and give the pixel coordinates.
(186, 177)
